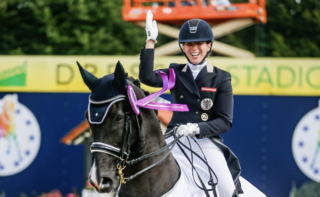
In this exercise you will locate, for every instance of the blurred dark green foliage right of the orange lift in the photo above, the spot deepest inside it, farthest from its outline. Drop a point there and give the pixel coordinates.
(291, 30)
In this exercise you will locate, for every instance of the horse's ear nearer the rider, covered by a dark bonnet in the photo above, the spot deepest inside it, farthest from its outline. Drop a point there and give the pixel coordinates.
(119, 80)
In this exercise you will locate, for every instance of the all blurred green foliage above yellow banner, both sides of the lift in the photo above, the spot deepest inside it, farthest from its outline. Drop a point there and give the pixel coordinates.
(85, 27)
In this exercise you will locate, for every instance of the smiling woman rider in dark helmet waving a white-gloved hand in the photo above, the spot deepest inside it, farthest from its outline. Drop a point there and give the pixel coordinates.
(206, 90)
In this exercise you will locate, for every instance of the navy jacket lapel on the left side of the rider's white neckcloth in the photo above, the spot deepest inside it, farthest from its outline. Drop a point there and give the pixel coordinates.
(186, 77)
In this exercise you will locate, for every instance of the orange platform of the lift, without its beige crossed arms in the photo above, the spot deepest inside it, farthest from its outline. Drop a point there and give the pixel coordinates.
(179, 11)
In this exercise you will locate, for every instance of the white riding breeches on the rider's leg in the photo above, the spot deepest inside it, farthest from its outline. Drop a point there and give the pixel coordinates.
(215, 159)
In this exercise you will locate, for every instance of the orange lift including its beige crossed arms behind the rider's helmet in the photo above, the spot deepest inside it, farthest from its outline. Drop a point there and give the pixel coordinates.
(225, 18)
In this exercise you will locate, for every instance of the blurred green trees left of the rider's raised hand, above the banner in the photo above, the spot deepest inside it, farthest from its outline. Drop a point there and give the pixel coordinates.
(67, 27)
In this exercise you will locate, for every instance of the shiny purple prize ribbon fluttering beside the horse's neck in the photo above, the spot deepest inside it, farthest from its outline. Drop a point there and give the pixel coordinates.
(146, 102)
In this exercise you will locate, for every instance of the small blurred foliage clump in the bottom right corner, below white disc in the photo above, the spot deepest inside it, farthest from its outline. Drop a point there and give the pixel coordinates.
(308, 189)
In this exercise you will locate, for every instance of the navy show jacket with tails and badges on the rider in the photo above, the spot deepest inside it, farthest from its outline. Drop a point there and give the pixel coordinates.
(189, 91)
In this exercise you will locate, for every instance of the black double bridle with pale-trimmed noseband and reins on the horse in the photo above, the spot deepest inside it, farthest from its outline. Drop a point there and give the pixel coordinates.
(123, 152)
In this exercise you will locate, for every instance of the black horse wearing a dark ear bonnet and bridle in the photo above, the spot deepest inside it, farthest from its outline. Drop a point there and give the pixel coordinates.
(127, 148)
